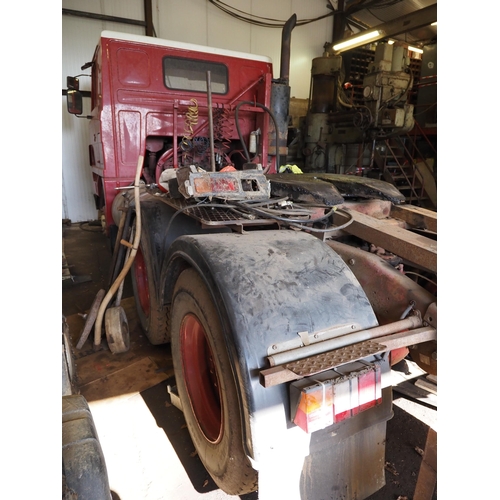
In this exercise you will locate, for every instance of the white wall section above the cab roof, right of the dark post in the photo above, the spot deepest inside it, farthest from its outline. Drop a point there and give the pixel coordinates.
(198, 21)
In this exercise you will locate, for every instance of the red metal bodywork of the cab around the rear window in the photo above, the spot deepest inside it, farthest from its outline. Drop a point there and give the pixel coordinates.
(142, 88)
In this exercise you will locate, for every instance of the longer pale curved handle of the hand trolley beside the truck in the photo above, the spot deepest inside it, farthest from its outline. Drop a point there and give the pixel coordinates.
(128, 264)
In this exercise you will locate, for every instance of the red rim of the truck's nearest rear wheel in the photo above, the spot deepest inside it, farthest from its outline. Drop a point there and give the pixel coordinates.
(200, 375)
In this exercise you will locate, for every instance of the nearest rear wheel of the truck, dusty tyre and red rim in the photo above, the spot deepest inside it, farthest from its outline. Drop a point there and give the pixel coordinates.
(206, 386)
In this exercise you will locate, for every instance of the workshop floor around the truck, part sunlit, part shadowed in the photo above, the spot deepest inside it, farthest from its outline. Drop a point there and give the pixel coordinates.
(148, 451)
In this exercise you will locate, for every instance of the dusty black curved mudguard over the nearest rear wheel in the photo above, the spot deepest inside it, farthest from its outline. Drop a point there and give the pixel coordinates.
(268, 286)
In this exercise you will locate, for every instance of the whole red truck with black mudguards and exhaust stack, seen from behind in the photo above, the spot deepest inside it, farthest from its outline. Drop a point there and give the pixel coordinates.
(285, 297)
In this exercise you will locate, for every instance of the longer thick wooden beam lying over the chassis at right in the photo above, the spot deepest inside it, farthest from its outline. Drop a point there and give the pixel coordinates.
(415, 248)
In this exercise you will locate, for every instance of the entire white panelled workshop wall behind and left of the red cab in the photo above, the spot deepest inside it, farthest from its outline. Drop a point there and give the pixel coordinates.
(193, 21)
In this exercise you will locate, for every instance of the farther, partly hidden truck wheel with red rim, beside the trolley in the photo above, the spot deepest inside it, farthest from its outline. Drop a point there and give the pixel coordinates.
(152, 315)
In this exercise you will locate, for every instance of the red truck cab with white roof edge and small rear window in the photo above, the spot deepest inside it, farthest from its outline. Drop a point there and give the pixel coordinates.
(150, 95)
